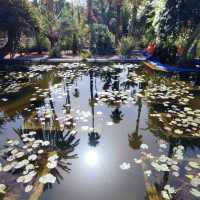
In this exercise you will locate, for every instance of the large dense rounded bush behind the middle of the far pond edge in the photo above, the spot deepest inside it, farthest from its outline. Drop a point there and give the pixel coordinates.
(102, 40)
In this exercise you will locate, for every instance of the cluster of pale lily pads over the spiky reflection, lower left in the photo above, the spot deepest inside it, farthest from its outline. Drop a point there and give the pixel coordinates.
(29, 161)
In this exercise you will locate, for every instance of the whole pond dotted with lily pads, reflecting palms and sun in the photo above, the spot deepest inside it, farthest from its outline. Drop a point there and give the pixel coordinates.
(85, 132)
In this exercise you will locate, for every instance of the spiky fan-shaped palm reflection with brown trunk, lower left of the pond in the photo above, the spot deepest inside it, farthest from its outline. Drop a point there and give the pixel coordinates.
(61, 142)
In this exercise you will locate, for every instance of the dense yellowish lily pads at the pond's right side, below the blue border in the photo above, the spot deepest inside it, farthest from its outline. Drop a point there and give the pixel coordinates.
(176, 112)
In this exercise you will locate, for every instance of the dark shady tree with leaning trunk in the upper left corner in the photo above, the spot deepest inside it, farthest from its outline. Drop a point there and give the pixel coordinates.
(17, 17)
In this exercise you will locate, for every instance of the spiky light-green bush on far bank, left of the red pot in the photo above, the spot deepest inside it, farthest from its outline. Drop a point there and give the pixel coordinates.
(126, 45)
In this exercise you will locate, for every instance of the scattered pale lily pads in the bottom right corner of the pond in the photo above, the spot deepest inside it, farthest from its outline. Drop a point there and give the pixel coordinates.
(183, 173)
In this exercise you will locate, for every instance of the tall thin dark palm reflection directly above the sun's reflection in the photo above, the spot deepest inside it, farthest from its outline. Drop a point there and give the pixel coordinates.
(93, 135)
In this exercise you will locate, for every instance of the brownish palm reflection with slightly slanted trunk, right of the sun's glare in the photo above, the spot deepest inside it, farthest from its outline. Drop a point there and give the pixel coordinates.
(135, 140)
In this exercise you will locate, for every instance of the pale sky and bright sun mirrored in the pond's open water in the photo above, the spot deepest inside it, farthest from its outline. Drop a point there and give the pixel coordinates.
(96, 174)
